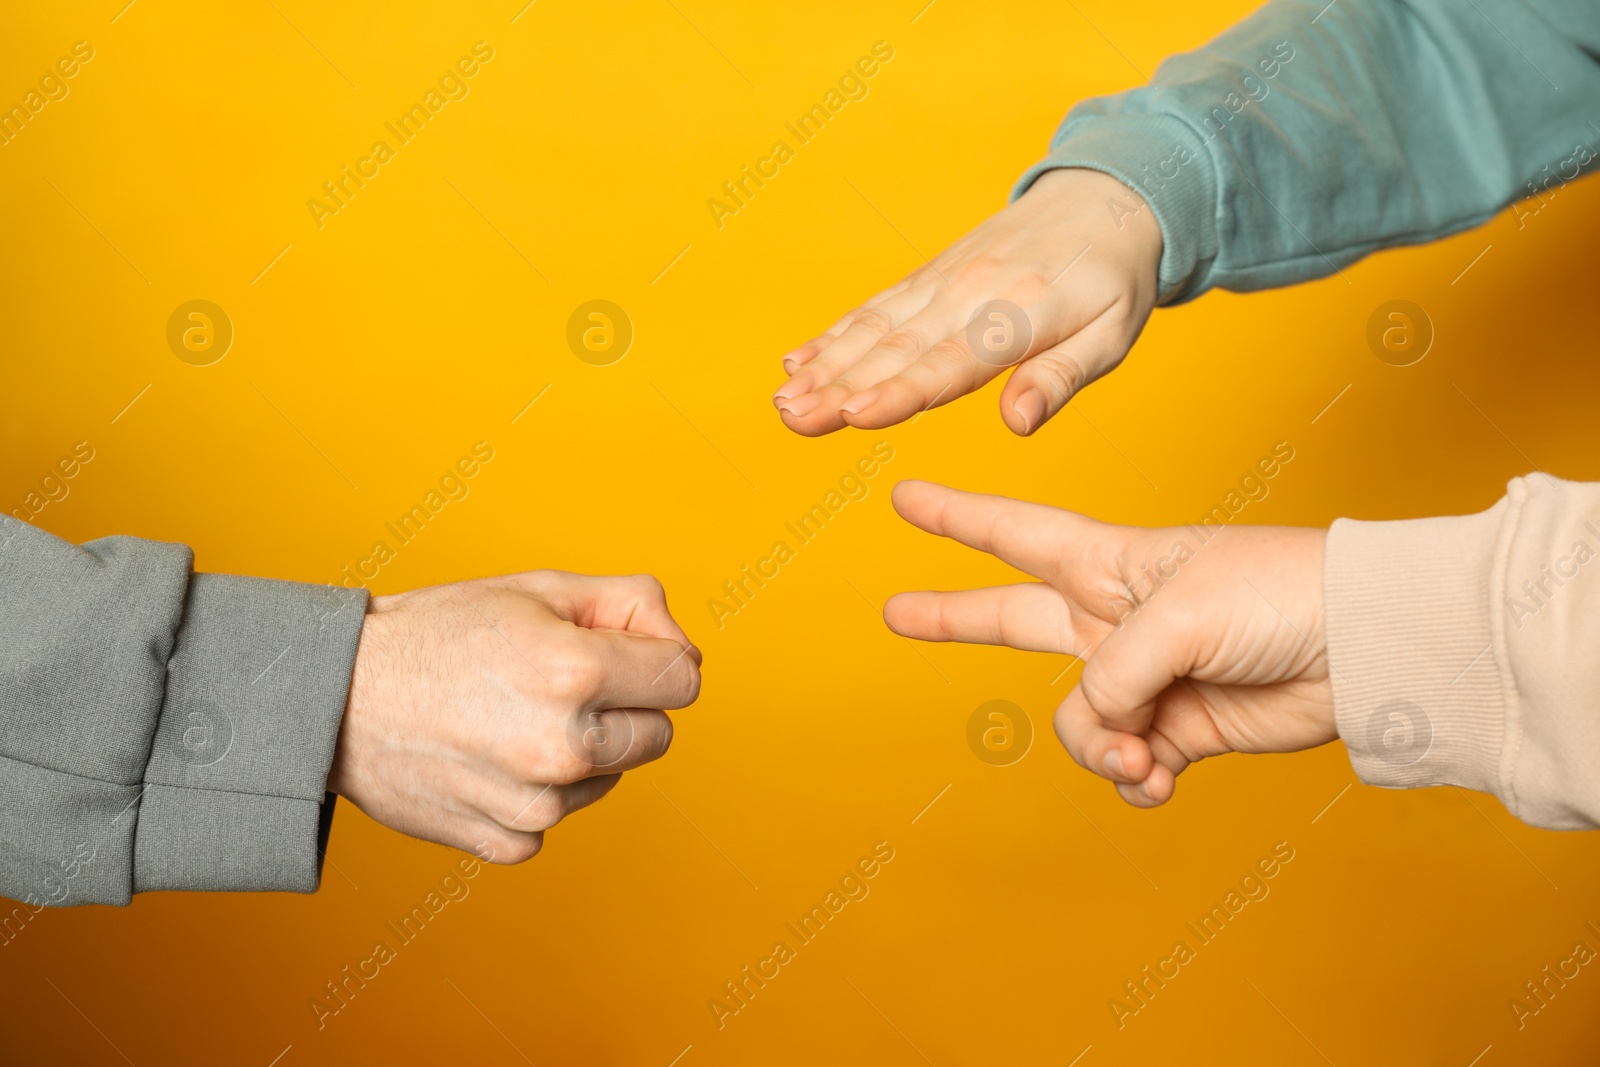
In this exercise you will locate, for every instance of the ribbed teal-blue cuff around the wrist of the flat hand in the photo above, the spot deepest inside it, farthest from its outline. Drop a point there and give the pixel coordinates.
(1167, 164)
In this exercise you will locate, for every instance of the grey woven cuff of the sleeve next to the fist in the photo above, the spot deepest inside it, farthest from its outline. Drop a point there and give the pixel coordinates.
(255, 695)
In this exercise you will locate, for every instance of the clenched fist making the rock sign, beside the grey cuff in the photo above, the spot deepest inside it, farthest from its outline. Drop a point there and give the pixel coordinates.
(486, 713)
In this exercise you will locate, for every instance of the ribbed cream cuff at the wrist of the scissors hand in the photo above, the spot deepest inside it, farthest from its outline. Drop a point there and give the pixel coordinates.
(1417, 679)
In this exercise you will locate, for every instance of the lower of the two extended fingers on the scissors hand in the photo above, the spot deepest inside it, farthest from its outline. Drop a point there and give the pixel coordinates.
(1031, 617)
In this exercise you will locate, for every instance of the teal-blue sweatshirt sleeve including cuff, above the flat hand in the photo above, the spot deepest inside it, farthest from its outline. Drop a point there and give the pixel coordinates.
(1314, 134)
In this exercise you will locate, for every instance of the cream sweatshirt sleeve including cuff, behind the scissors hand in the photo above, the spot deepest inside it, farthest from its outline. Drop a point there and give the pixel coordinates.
(1466, 650)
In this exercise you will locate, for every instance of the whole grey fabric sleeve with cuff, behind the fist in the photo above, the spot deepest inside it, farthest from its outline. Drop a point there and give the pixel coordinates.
(159, 729)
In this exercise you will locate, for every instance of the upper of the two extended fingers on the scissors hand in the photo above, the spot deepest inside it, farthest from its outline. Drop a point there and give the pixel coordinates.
(1028, 537)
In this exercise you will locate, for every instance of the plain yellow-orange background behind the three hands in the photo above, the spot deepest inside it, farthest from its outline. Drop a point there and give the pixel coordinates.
(377, 350)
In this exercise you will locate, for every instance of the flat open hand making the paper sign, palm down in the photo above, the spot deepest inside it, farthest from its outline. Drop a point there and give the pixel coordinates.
(1079, 254)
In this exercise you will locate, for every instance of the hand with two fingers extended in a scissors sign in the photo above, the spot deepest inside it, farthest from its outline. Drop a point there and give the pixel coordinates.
(1191, 649)
